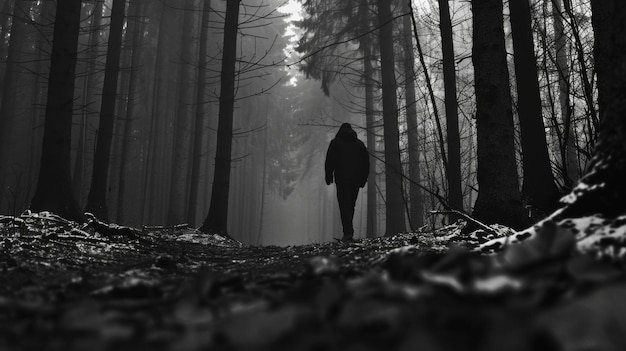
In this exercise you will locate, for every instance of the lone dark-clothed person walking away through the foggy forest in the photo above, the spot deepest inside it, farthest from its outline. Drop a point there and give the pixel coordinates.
(347, 163)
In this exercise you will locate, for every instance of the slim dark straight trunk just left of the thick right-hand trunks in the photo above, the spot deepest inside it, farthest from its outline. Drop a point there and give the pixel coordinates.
(455, 194)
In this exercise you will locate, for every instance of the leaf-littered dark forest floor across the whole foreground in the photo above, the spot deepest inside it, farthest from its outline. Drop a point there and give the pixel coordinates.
(64, 286)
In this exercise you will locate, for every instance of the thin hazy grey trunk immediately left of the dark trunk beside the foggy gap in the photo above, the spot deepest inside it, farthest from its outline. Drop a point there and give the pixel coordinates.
(200, 118)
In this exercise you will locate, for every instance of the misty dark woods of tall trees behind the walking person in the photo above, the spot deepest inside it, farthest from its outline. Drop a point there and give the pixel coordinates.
(199, 111)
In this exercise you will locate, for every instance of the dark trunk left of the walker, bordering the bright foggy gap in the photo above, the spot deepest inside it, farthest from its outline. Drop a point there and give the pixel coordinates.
(217, 219)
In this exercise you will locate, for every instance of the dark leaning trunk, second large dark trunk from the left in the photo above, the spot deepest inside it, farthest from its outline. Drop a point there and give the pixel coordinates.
(97, 198)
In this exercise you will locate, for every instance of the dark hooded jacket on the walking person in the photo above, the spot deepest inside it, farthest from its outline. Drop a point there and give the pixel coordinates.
(347, 158)
